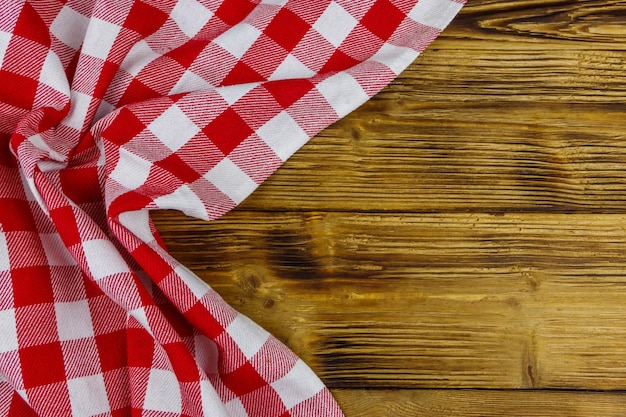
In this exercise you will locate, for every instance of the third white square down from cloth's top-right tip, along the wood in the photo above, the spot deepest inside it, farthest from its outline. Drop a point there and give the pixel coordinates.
(343, 93)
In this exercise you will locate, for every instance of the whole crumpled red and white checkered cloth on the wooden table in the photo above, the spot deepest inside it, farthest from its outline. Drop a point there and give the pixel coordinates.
(110, 109)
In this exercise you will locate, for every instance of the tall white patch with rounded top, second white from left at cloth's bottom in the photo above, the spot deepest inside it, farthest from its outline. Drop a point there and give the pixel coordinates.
(163, 392)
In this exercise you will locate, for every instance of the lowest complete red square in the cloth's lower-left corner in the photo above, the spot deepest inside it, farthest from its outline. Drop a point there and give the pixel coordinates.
(42, 364)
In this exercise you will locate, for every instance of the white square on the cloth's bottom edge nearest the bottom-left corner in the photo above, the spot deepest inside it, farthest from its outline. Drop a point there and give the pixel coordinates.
(88, 396)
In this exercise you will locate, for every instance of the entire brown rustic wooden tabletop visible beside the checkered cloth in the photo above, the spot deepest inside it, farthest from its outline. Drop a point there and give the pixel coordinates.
(457, 246)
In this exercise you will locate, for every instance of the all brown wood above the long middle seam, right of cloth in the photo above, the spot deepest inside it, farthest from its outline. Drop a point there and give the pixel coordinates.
(517, 106)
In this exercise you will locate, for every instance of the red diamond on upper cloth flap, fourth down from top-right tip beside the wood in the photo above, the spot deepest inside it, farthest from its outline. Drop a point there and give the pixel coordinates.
(227, 130)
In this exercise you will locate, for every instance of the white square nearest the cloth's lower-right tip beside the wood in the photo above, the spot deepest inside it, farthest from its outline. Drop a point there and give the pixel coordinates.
(298, 385)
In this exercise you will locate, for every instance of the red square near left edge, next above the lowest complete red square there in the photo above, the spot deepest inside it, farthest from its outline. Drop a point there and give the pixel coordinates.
(31, 286)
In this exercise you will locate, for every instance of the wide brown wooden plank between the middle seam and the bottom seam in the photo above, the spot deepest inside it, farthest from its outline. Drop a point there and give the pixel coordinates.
(519, 300)
